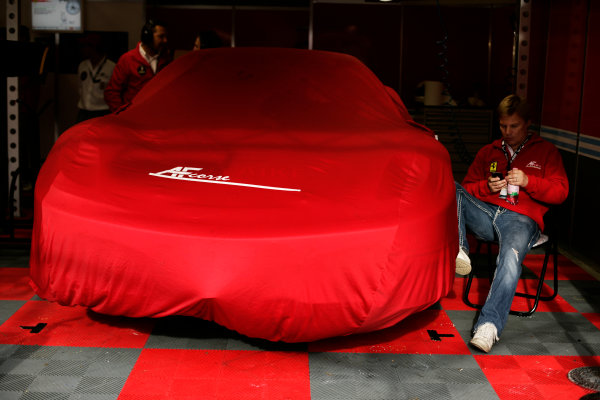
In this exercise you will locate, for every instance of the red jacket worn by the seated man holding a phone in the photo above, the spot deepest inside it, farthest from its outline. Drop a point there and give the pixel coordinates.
(542, 163)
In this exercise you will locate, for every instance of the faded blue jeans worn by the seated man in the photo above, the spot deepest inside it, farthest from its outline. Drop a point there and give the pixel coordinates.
(516, 234)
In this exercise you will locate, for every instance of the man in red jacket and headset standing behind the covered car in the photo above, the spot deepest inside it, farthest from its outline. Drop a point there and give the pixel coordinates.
(136, 67)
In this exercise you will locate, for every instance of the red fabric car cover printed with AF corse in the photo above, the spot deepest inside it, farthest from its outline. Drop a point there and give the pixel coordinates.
(285, 194)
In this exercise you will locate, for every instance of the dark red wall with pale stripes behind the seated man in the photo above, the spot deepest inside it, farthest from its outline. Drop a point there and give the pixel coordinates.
(570, 116)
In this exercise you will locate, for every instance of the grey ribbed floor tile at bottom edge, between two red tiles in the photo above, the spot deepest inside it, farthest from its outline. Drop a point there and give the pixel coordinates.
(351, 376)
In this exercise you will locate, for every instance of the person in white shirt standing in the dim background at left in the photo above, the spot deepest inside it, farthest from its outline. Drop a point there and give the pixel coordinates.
(94, 73)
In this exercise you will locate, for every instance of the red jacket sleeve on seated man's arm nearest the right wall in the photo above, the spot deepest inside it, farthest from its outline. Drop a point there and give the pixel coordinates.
(553, 186)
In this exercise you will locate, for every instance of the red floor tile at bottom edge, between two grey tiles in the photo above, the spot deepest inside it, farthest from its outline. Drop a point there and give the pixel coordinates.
(219, 375)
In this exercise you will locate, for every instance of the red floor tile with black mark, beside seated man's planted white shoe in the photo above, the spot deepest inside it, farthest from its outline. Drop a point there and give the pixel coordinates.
(410, 336)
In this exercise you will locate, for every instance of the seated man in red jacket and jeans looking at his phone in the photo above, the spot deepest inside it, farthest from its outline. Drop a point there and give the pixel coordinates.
(520, 162)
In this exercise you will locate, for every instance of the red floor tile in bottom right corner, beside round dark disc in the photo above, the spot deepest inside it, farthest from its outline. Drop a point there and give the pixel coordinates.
(534, 377)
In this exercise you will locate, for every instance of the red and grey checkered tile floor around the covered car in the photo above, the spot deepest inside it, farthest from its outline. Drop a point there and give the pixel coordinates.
(52, 352)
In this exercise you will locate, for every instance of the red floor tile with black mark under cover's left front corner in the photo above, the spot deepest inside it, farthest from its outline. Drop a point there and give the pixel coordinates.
(72, 326)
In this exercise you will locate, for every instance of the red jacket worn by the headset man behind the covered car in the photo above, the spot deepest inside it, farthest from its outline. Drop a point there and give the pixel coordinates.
(130, 74)
